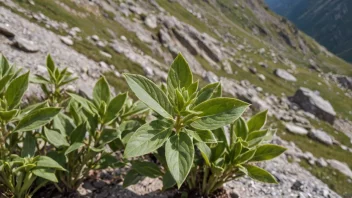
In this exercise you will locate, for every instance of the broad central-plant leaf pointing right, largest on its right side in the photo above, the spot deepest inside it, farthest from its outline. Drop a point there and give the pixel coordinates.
(218, 112)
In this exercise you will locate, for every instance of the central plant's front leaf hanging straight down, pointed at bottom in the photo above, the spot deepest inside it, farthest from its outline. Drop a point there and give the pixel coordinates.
(179, 152)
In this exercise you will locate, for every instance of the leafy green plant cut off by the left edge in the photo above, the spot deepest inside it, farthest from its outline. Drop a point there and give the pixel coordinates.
(20, 164)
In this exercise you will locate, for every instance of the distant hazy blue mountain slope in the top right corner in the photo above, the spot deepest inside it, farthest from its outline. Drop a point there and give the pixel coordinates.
(326, 21)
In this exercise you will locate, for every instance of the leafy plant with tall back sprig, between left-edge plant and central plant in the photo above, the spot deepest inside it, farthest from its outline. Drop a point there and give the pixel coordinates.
(86, 135)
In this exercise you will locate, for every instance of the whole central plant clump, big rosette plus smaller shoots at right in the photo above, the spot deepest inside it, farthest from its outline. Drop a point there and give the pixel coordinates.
(189, 119)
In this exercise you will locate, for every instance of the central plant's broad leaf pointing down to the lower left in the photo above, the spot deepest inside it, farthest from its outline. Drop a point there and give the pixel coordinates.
(148, 138)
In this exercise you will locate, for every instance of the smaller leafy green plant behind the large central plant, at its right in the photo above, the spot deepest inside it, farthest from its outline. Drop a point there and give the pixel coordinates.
(234, 157)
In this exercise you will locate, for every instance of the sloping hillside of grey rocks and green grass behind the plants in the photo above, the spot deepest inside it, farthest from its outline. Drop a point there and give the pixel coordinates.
(258, 56)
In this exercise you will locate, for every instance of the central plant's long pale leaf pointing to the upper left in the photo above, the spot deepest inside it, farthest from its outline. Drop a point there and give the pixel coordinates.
(150, 94)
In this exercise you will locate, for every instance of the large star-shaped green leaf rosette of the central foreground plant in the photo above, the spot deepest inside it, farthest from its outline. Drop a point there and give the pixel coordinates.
(185, 115)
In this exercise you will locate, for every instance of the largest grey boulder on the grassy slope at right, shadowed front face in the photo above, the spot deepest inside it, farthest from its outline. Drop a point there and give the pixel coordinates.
(311, 102)
